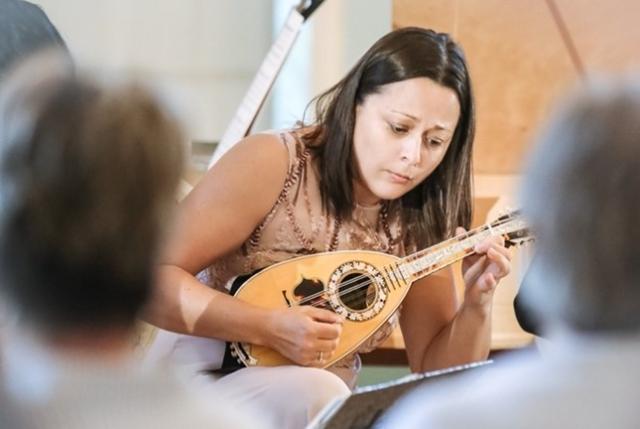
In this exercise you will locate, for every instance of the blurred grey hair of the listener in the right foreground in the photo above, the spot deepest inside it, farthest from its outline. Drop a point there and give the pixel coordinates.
(581, 192)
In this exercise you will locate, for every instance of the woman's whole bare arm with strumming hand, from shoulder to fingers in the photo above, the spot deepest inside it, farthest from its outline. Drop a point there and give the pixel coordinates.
(214, 219)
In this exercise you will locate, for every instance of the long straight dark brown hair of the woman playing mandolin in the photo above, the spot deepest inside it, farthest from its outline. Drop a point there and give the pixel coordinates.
(442, 201)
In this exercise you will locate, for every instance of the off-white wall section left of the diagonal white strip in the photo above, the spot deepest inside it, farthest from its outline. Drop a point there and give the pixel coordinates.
(204, 52)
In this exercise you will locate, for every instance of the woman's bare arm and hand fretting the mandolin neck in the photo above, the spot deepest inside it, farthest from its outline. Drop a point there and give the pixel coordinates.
(438, 332)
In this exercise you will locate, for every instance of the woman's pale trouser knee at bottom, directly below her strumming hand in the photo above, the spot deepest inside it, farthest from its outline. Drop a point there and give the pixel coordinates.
(284, 397)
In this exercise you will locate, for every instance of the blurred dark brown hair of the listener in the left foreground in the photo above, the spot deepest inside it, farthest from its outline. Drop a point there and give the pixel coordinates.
(87, 178)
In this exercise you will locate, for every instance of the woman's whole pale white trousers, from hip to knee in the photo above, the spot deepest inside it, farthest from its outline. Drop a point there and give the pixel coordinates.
(281, 397)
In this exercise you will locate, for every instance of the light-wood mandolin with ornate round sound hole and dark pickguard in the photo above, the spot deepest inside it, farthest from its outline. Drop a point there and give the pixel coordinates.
(364, 287)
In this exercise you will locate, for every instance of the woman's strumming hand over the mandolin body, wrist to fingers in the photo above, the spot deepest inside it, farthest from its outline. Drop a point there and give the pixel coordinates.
(304, 334)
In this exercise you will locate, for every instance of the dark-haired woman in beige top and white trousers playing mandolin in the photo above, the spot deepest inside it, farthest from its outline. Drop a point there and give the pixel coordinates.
(386, 165)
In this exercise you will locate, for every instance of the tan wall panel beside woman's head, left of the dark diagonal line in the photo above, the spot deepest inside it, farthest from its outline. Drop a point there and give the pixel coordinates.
(518, 63)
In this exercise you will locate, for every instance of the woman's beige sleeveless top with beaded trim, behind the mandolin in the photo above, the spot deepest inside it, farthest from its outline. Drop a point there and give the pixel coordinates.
(296, 226)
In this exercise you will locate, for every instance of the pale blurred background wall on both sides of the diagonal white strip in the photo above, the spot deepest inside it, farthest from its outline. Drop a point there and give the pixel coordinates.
(206, 52)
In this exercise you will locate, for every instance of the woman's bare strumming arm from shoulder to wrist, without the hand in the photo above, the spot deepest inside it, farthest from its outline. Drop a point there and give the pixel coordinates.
(214, 219)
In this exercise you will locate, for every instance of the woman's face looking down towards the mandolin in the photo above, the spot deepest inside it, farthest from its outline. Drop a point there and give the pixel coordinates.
(401, 135)
